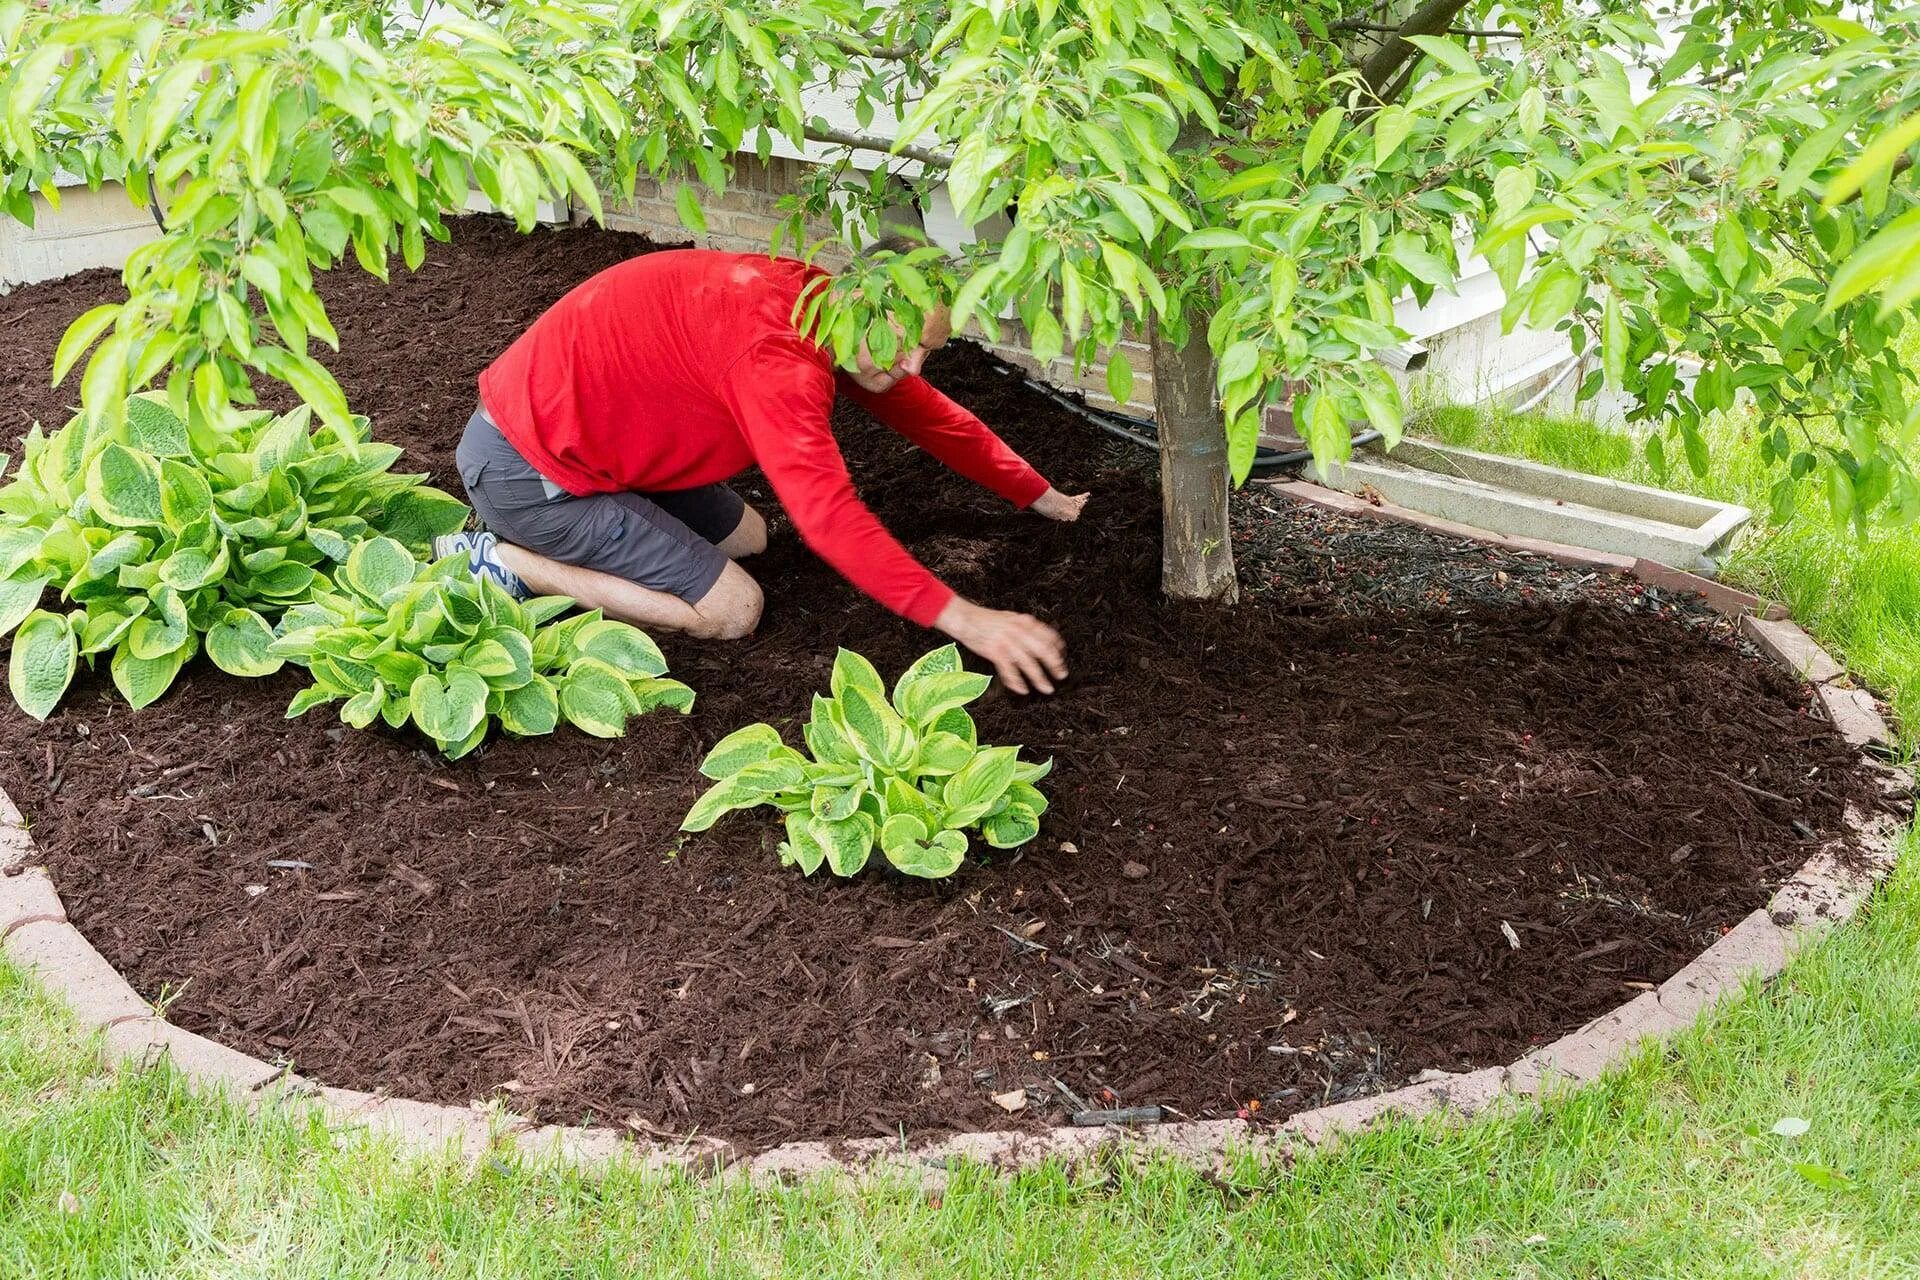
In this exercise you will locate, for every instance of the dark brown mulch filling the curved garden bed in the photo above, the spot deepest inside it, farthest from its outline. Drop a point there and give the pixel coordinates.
(1414, 805)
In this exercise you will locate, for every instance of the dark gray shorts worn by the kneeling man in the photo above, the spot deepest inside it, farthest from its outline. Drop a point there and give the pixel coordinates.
(658, 540)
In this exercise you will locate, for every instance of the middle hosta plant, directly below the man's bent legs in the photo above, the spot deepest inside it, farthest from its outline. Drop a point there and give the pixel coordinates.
(454, 653)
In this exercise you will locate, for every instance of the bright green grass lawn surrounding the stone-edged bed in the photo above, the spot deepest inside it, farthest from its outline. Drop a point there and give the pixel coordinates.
(1668, 1170)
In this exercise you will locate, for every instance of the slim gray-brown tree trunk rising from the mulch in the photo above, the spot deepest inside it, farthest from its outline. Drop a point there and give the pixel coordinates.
(1195, 542)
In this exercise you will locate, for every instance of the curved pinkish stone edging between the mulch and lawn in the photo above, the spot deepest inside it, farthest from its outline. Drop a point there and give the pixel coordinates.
(36, 934)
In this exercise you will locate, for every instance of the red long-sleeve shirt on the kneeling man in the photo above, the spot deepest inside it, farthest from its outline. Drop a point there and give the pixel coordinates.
(683, 369)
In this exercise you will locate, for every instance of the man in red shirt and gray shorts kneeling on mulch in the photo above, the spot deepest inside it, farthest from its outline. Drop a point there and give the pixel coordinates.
(608, 433)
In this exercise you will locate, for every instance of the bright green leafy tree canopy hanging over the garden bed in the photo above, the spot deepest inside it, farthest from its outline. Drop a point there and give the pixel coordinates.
(1721, 183)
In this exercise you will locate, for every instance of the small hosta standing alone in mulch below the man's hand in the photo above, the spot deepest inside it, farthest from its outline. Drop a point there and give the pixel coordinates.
(905, 772)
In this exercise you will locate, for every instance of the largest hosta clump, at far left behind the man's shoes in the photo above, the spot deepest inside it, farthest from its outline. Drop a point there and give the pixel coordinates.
(164, 536)
